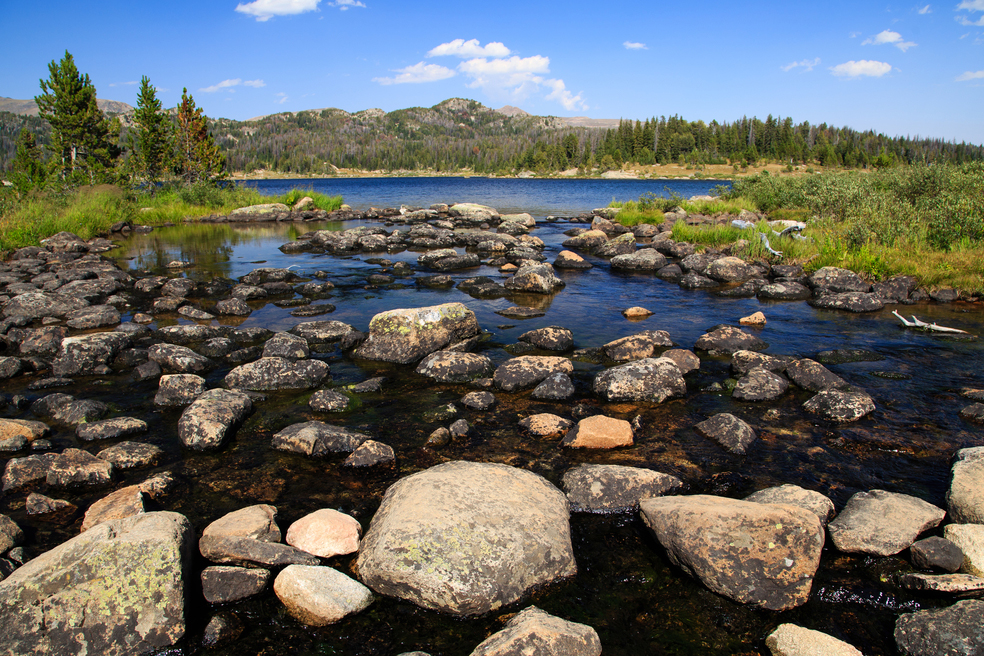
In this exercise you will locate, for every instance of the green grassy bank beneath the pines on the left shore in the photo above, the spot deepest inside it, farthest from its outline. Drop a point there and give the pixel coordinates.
(90, 211)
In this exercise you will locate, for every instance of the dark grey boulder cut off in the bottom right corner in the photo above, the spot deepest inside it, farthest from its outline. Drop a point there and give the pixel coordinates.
(956, 630)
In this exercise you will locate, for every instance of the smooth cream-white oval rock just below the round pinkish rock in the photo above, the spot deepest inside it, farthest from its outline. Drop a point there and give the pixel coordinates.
(318, 596)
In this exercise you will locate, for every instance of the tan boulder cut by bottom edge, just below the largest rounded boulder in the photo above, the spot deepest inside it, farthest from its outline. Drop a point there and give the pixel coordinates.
(534, 632)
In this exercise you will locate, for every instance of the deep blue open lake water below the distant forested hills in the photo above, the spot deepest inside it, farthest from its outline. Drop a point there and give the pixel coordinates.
(508, 195)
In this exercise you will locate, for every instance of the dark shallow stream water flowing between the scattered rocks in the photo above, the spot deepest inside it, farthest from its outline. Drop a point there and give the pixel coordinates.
(625, 587)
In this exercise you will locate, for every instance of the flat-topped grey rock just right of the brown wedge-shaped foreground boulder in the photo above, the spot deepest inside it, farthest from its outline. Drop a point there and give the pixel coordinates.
(882, 523)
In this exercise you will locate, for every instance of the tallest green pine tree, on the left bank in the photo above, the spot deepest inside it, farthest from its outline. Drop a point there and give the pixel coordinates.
(79, 130)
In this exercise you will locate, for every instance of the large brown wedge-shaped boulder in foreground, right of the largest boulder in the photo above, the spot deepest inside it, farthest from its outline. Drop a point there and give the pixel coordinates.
(758, 554)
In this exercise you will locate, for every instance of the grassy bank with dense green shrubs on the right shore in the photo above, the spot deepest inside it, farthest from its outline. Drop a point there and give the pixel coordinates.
(923, 221)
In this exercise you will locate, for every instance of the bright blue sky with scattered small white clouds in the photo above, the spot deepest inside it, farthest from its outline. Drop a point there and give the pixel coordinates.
(903, 69)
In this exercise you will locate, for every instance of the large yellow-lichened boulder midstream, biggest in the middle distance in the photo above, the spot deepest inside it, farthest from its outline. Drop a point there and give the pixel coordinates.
(406, 336)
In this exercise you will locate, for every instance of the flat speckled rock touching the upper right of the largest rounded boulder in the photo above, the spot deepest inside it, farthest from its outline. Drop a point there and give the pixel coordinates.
(614, 488)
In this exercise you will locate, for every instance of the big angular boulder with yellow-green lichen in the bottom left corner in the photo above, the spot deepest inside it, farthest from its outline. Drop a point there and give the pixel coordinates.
(117, 589)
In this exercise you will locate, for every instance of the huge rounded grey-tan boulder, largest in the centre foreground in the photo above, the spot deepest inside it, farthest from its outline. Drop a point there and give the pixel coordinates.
(467, 538)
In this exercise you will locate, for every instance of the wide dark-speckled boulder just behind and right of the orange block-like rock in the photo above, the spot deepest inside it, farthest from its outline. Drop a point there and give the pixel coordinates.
(651, 379)
